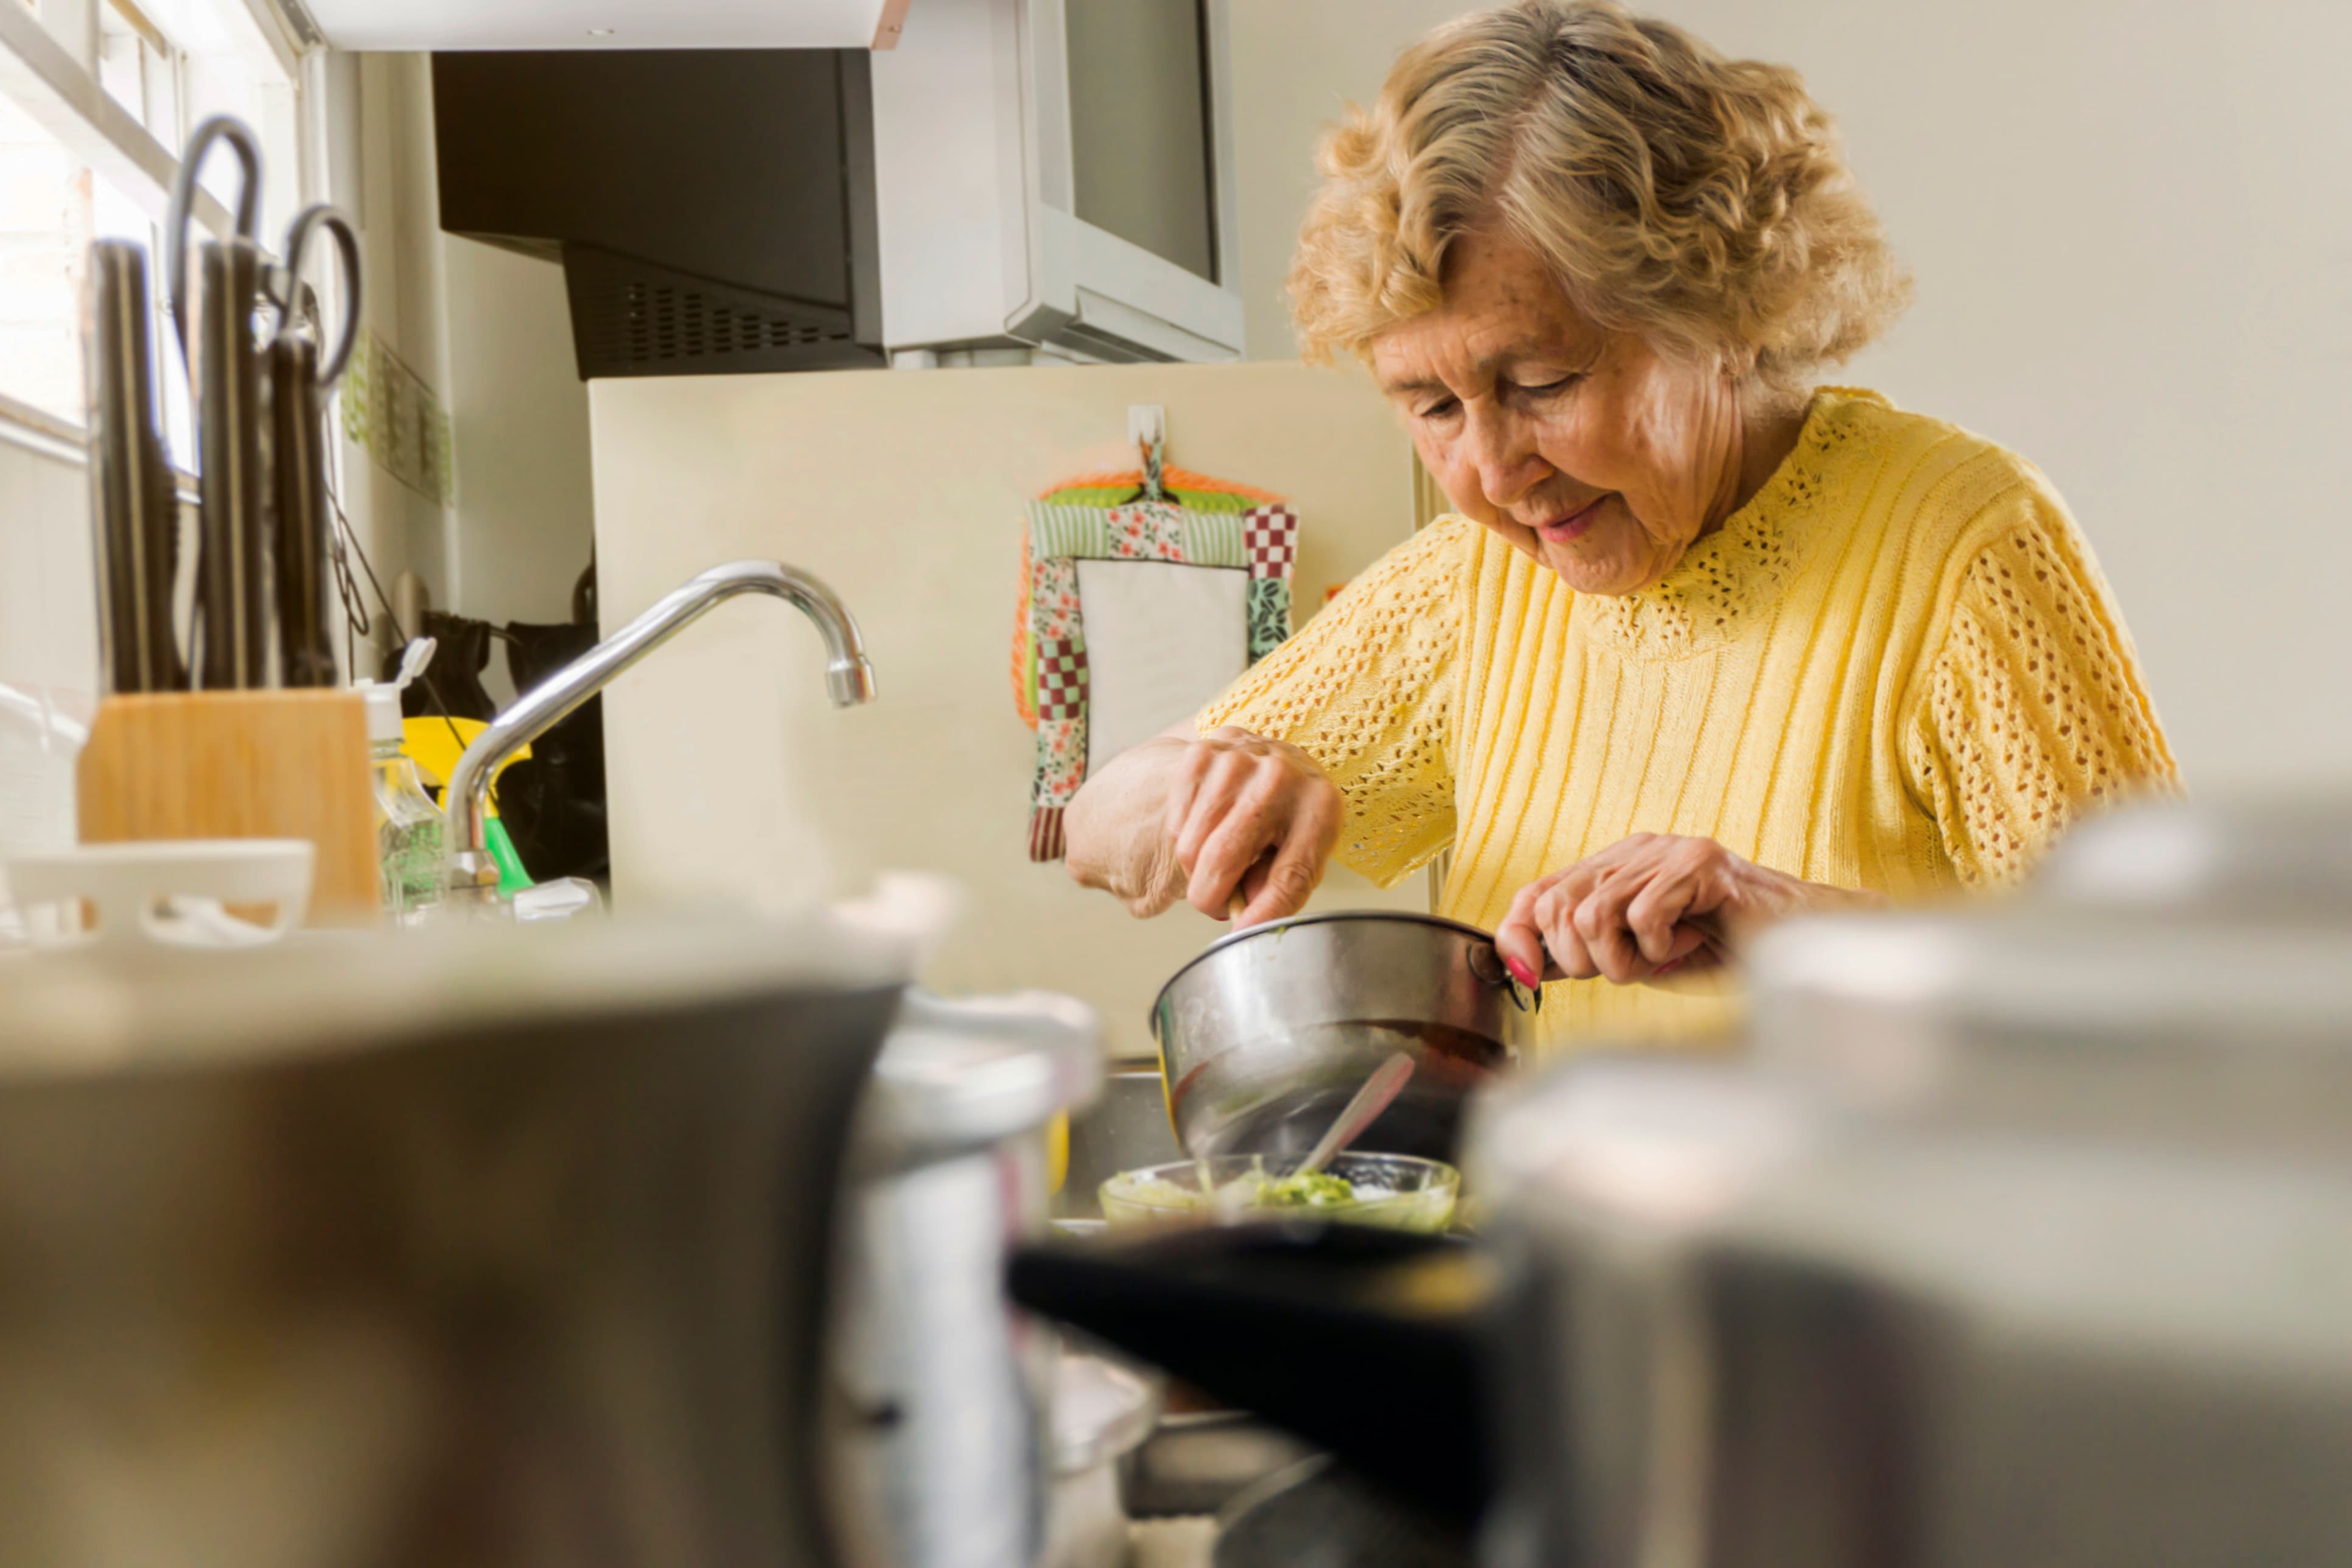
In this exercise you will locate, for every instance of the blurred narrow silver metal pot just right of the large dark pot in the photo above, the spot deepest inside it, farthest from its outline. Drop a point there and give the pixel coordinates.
(940, 1388)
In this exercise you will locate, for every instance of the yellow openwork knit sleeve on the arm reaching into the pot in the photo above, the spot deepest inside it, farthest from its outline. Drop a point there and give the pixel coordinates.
(1368, 690)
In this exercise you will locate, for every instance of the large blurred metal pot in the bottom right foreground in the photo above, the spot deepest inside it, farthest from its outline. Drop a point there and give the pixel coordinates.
(1756, 1327)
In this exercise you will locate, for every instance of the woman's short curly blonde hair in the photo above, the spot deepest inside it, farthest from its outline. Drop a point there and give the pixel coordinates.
(1683, 196)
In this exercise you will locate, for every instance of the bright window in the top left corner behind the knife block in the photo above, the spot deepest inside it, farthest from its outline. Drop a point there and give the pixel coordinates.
(166, 65)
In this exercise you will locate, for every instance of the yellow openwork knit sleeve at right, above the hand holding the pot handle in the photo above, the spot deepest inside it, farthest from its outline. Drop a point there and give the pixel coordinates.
(2033, 711)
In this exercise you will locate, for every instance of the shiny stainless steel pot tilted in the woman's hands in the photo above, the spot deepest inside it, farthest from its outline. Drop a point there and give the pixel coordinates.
(1271, 1031)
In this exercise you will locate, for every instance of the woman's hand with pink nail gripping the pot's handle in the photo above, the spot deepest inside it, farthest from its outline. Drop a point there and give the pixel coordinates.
(1650, 906)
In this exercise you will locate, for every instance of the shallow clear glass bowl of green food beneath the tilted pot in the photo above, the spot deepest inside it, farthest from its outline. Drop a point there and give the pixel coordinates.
(1394, 1191)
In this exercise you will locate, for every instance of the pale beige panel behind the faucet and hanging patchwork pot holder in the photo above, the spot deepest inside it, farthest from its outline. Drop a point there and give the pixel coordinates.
(904, 490)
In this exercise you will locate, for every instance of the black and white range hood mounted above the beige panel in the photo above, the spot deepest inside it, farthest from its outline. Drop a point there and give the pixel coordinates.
(1015, 180)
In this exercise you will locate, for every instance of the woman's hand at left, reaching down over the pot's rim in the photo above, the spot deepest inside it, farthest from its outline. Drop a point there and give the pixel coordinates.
(1205, 819)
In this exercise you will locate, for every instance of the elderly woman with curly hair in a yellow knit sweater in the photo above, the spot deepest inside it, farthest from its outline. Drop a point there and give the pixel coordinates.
(1704, 645)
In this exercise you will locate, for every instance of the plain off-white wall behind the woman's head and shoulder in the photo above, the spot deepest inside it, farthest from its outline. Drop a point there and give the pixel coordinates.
(2134, 250)
